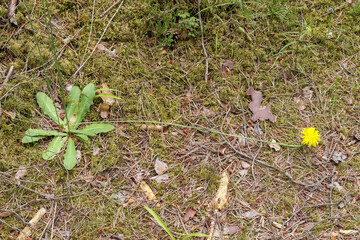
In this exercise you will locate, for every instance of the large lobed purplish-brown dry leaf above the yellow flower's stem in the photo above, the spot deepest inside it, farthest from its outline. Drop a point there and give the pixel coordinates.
(259, 112)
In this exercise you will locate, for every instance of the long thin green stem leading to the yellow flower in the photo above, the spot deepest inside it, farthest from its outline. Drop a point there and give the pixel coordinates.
(200, 129)
